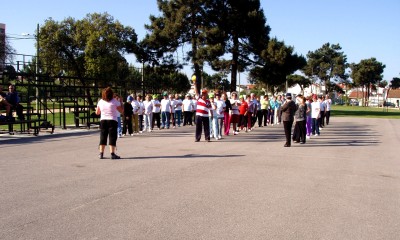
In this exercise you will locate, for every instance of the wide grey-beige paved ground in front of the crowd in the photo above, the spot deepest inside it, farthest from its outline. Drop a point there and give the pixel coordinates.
(344, 184)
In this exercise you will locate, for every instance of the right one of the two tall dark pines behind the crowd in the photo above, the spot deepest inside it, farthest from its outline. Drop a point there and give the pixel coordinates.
(238, 28)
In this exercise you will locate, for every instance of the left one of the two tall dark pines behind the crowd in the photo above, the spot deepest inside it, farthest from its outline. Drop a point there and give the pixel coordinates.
(181, 23)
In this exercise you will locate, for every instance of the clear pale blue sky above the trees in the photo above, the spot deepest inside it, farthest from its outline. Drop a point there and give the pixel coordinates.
(364, 29)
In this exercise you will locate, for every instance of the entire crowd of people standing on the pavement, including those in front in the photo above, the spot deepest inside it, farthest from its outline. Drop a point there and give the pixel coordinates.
(216, 114)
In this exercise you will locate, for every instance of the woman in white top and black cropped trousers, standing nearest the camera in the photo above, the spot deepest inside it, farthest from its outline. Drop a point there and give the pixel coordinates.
(108, 108)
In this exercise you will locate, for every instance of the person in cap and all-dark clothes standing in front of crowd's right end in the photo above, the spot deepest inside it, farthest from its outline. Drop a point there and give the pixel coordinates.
(288, 109)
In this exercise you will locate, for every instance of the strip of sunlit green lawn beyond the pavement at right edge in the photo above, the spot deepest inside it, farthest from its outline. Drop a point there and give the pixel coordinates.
(365, 112)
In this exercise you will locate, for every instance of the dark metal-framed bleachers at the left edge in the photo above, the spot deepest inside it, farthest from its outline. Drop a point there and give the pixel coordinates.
(49, 99)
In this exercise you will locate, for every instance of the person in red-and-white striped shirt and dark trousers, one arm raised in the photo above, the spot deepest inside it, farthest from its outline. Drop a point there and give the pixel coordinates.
(203, 111)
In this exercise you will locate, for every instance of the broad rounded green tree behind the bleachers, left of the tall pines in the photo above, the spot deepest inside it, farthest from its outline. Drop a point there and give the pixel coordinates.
(89, 48)
